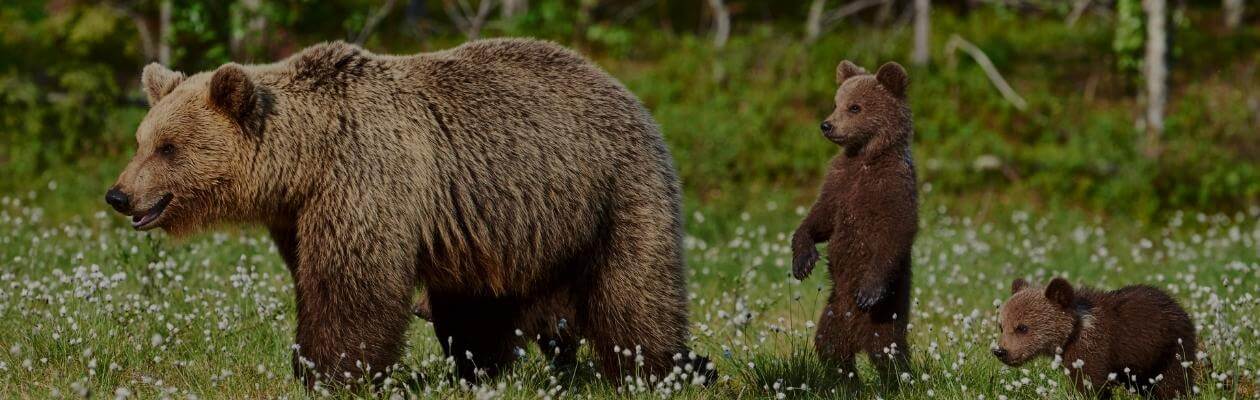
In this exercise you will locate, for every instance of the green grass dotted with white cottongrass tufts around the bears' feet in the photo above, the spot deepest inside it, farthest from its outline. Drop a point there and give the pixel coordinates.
(90, 306)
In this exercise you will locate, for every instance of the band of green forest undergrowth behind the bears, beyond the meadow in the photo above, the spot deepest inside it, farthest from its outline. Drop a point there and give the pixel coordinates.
(742, 121)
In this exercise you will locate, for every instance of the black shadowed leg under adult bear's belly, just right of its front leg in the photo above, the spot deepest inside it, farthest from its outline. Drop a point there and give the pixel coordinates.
(477, 331)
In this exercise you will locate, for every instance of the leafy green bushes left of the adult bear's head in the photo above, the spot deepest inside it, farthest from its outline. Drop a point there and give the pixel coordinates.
(61, 89)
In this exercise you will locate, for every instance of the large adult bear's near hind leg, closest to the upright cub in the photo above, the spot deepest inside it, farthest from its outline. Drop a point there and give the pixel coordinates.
(636, 300)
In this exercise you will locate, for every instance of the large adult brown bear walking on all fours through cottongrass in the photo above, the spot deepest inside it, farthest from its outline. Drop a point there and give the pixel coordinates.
(511, 179)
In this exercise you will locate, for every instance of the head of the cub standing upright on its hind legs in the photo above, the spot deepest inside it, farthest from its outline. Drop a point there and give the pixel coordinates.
(868, 105)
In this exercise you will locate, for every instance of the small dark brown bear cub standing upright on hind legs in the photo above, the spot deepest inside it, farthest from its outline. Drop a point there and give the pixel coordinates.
(869, 215)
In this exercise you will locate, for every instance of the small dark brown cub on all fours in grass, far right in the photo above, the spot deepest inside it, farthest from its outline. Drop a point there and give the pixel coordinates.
(1137, 336)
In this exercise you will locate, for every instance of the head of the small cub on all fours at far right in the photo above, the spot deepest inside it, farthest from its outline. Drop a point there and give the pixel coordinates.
(1034, 322)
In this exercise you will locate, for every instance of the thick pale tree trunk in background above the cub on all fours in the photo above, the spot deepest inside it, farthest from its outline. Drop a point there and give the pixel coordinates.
(1156, 70)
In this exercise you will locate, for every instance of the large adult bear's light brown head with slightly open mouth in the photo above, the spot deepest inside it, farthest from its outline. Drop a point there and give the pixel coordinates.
(190, 162)
